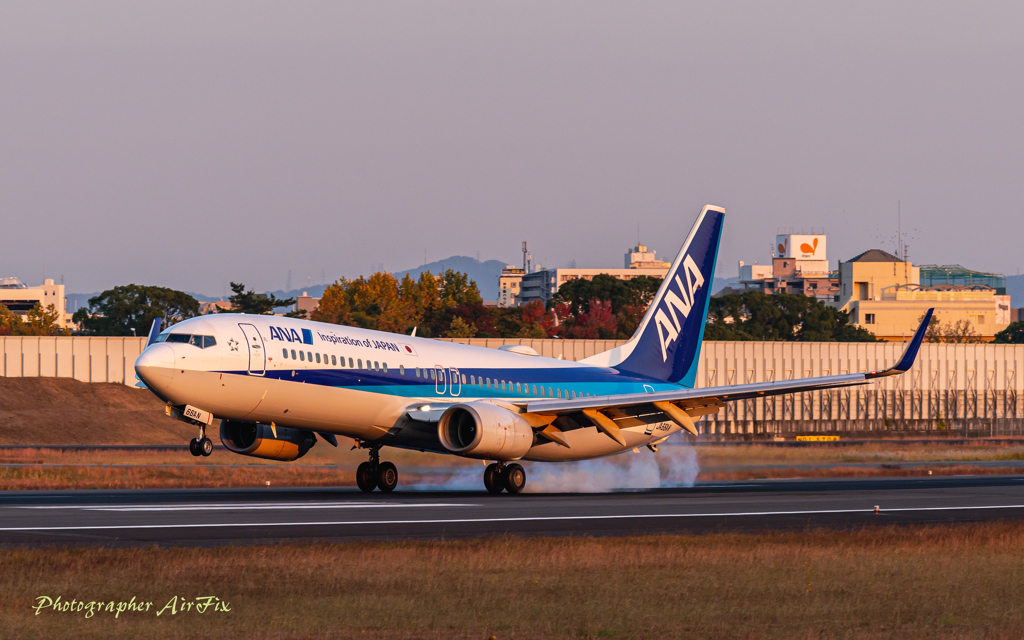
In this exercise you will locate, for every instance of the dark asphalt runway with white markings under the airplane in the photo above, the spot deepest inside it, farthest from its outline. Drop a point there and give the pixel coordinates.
(243, 517)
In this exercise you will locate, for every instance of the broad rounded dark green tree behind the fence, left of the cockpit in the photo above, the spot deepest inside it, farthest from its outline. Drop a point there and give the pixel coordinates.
(117, 312)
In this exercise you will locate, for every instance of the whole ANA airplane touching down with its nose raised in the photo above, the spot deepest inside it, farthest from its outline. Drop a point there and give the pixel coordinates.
(278, 383)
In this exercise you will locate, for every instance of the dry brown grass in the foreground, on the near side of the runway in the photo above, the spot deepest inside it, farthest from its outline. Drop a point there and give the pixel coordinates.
(937, 582)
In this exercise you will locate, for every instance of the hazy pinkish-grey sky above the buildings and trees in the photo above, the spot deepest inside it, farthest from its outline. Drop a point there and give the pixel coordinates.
(191, 144)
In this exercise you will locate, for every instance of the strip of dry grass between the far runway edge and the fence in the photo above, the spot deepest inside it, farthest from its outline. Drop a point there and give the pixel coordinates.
(325, 466)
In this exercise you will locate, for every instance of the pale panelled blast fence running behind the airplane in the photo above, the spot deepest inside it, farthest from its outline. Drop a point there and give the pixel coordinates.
(963, 388)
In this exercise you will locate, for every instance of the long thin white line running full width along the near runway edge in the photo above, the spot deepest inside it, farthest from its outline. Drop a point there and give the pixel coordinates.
(521, 520)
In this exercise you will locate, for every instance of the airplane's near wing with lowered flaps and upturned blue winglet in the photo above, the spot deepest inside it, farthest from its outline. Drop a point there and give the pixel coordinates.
(684, 405)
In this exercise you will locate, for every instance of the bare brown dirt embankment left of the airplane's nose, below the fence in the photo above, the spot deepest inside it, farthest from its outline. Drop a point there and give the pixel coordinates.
(63, 411)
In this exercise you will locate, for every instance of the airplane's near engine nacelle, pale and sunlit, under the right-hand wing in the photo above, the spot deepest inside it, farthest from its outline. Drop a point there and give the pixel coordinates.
(486, 432)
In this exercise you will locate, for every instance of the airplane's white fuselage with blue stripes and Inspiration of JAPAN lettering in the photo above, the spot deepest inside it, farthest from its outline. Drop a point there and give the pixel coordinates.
(371, 386)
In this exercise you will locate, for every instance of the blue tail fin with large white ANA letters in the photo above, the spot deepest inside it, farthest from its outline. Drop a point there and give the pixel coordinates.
(667, 346)
